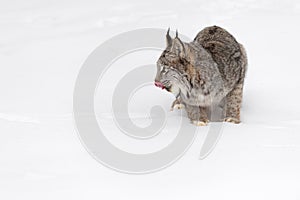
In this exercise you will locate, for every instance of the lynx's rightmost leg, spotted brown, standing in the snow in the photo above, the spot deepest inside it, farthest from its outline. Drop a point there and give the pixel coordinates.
(233, 104)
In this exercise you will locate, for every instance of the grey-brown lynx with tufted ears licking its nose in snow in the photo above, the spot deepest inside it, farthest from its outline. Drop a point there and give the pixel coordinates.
(209, 70)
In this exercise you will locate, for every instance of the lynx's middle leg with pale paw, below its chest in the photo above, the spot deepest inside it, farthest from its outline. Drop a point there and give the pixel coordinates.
(197, 115)
